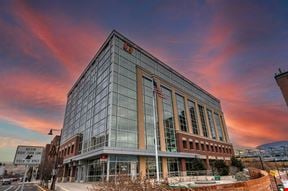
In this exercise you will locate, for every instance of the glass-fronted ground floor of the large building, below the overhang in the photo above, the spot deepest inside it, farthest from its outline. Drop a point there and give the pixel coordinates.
(101, 168)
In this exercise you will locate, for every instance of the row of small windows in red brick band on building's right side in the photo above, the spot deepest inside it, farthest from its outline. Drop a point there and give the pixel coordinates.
(189, 145)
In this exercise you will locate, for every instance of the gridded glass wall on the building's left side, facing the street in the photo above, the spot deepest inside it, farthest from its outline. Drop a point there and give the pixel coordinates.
(87, 106)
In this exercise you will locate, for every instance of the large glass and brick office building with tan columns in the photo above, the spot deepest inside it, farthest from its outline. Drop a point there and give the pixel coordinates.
(110, 113)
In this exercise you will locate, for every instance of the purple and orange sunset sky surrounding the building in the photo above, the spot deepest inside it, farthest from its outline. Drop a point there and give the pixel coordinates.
(230, 48)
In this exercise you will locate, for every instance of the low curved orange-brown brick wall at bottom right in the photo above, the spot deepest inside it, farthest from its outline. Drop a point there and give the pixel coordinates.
(261, 182)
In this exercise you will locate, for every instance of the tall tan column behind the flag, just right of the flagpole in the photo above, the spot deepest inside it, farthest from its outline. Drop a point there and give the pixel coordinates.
(160, 118)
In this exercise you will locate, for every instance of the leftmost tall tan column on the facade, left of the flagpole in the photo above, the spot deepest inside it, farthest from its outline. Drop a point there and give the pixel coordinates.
(140, 110)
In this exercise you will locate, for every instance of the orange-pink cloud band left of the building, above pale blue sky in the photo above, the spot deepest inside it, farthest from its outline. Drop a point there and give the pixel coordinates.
(23, 92)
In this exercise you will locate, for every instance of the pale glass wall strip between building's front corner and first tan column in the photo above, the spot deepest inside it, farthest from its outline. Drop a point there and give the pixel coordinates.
(124, 110)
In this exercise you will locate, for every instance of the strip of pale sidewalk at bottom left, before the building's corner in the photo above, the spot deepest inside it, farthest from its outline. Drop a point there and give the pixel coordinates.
(69, 186)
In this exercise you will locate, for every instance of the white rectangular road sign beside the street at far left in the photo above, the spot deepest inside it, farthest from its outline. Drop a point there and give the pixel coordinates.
(28, 155)
